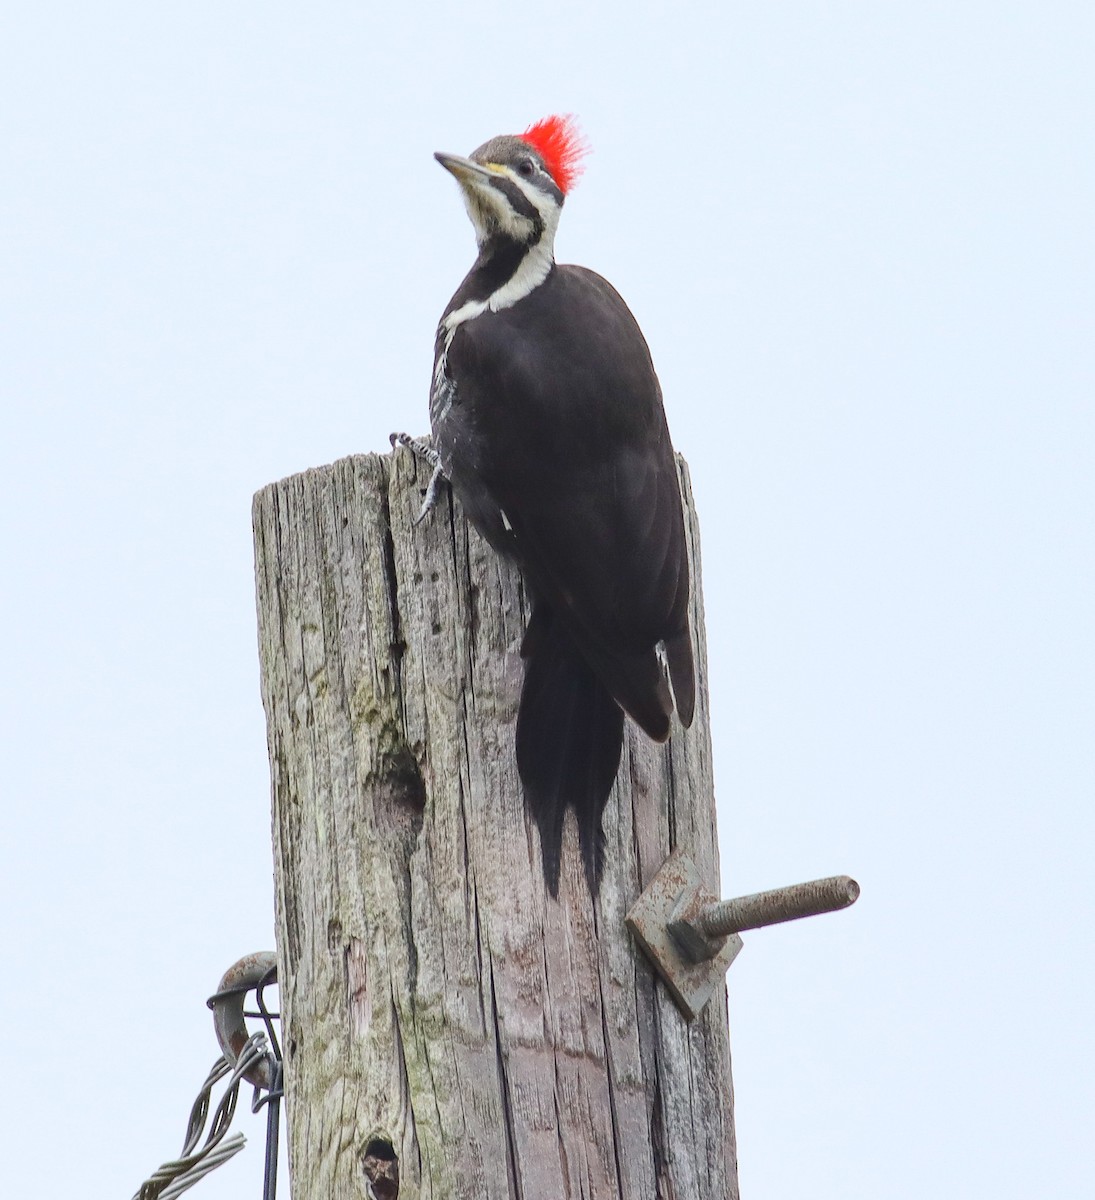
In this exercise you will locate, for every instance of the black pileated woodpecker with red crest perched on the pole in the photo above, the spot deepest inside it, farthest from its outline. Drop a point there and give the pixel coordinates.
(548, 423)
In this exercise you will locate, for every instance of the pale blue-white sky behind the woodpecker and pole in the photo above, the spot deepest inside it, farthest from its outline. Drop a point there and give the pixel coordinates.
(859, 238)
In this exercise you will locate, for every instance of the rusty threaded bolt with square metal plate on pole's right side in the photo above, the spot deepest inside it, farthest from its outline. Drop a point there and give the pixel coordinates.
(691, 937)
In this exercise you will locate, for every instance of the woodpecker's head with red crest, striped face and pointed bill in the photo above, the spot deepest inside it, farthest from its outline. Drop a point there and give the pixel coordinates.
(514, 185)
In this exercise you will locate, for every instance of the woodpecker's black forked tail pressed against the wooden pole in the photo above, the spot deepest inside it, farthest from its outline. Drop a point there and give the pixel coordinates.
(570, 739)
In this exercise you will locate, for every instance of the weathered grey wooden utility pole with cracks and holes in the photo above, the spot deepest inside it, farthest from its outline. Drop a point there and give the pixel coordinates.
(451, 1031)
